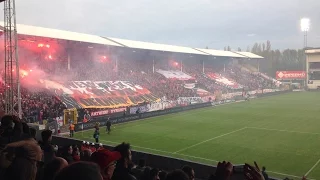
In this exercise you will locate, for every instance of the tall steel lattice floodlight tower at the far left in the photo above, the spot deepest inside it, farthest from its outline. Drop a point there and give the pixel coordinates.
(11, 61)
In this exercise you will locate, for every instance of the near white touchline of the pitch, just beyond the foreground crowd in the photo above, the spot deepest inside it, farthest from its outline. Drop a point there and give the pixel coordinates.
(206, 159)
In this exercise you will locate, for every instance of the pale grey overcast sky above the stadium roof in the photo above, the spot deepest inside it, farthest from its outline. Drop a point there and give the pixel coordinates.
(194, 23)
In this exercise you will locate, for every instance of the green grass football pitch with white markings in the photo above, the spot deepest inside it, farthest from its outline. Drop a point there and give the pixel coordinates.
(280, 132)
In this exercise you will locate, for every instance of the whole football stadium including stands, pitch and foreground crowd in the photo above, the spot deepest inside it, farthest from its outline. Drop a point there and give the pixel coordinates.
(110, 108)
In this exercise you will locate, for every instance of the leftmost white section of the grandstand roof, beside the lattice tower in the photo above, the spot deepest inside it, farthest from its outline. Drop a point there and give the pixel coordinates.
(61, 34)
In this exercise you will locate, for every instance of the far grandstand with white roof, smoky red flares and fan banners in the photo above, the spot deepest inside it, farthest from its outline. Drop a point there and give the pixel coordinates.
(84, 60)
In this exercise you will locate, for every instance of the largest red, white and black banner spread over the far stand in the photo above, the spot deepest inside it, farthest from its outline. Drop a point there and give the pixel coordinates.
(100, 94)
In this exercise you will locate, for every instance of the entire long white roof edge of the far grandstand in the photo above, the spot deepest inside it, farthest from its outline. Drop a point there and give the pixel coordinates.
(81, 37)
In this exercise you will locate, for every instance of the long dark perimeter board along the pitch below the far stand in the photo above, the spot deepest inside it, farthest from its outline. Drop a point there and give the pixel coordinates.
(116, 120)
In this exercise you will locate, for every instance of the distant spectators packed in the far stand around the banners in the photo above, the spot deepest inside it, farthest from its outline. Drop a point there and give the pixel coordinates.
(42, 105)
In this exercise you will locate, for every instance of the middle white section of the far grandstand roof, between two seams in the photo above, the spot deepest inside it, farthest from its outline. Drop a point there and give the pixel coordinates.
(156, 47)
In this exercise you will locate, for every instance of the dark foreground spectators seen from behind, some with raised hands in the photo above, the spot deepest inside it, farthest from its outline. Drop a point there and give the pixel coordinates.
(23, 158)
